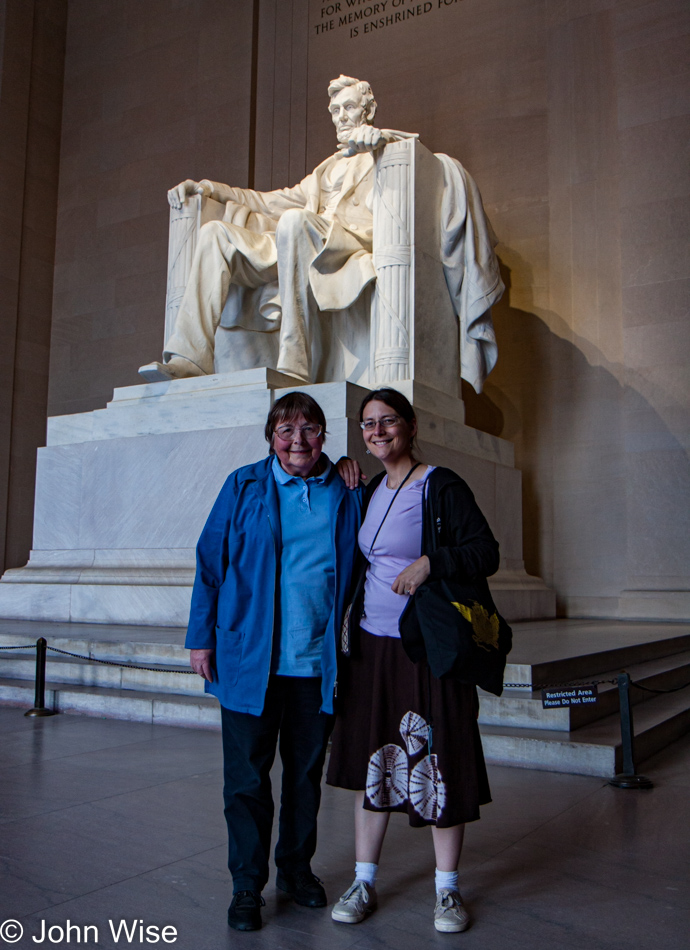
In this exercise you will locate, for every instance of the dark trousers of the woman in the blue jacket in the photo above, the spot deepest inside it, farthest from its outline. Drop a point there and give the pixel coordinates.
(291, 715)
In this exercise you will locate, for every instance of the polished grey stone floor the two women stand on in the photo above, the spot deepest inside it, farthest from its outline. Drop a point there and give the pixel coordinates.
(104, 820)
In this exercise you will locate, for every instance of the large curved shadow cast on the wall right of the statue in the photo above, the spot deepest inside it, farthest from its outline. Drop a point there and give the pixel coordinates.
(603, 476)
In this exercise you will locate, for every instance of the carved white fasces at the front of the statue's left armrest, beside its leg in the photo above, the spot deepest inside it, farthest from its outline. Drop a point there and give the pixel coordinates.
(184, 231)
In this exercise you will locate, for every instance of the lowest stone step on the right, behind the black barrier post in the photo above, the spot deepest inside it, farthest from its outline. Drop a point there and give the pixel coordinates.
(594, 749)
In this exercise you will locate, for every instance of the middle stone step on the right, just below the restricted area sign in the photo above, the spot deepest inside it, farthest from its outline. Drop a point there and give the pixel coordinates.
(523, 708)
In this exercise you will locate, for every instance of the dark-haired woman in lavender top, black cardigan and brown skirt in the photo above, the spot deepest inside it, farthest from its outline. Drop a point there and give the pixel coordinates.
(405, 741)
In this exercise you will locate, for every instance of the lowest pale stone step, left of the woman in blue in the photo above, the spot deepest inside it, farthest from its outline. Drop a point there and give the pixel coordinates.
(162, 708)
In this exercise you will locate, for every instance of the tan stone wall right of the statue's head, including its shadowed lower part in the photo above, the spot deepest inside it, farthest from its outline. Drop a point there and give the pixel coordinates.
(573, 118)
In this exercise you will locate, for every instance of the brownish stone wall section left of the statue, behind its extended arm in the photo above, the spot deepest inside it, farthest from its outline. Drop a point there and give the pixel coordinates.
(155, 92)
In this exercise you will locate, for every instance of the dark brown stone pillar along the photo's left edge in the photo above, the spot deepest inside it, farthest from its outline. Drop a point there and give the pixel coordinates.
(32, 42)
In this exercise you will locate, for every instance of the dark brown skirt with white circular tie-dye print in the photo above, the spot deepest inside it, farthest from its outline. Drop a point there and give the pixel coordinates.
(410, 741)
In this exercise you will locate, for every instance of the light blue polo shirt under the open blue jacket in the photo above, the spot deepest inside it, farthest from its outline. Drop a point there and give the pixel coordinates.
(307, 572)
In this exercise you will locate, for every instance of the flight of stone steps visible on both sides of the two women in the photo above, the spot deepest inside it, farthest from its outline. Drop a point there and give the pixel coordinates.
(516, 730)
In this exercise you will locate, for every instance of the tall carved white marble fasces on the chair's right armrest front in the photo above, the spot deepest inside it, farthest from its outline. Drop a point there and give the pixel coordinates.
(393, 238)
